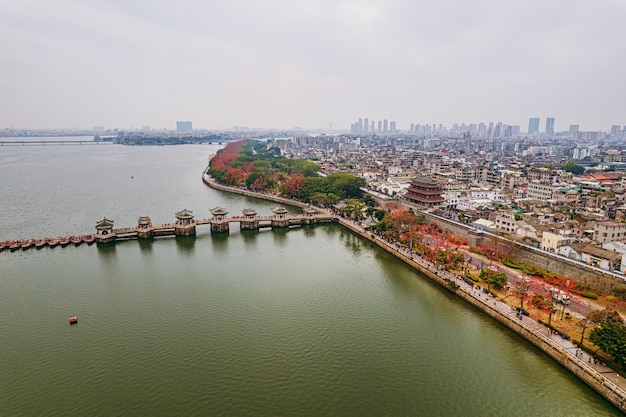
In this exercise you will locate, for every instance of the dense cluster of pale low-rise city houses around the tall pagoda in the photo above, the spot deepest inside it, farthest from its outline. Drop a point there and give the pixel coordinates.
(516, 194)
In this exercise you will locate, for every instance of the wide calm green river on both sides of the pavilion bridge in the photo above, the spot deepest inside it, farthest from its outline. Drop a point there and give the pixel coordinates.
(308, 321)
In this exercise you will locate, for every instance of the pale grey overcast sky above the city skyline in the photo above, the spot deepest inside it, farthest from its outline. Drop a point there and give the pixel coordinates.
(286, 63)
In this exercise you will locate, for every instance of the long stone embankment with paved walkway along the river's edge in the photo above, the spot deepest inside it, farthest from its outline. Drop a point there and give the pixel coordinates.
(610, 385)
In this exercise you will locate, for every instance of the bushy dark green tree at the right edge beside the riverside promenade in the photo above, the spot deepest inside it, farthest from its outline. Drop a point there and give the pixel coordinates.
(609, 334)
